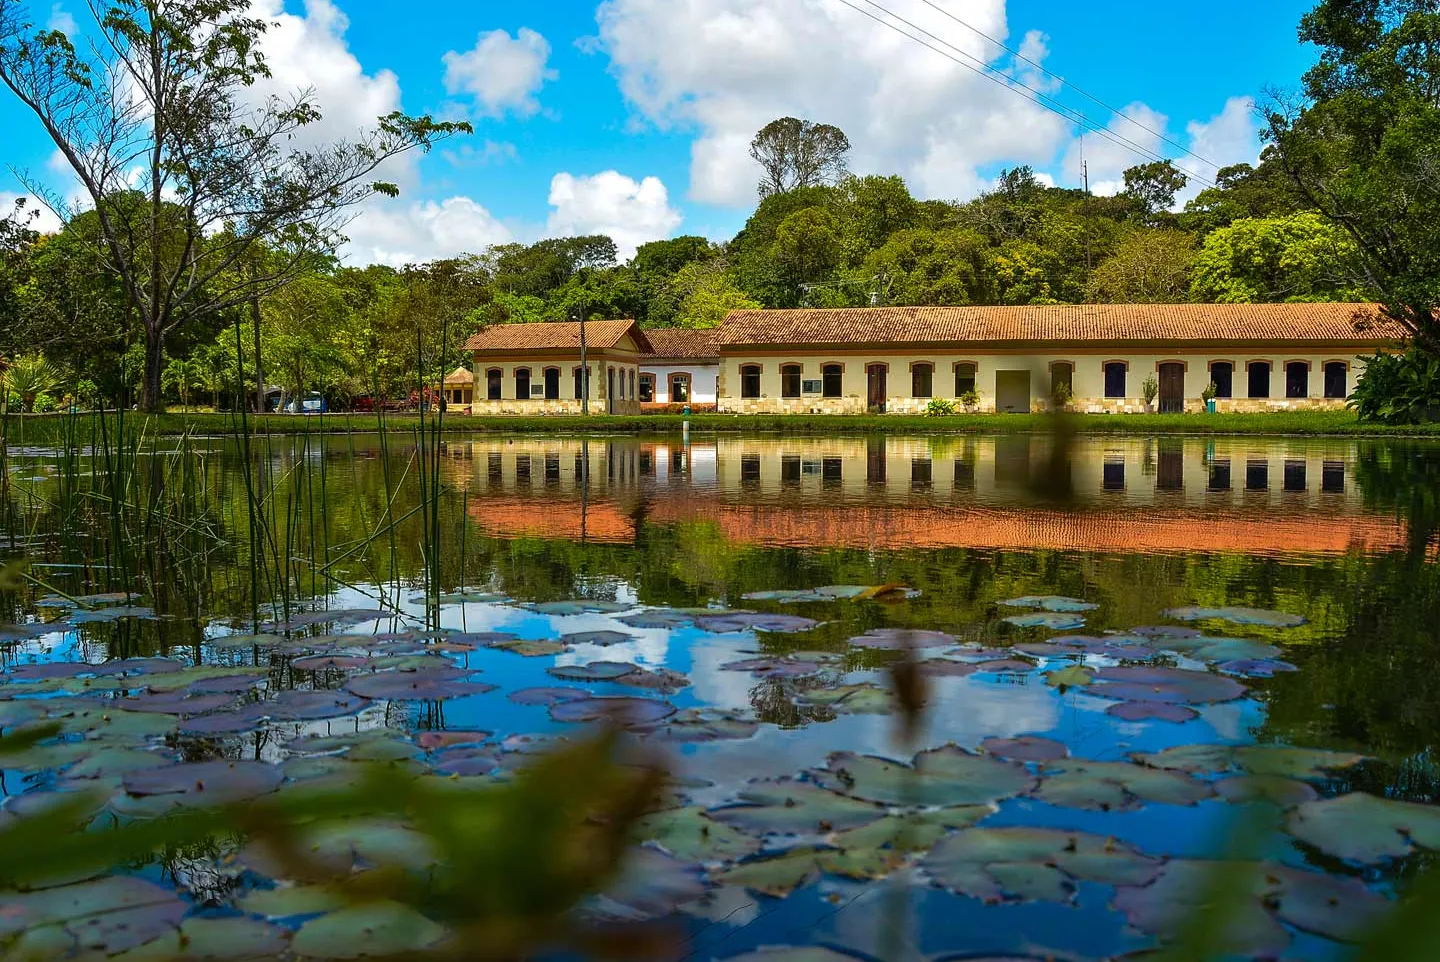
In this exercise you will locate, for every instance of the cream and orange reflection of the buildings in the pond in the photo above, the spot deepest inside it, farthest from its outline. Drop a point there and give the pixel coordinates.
(1125, 495)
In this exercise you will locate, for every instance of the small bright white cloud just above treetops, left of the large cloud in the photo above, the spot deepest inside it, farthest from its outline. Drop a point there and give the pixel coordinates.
(630, 211)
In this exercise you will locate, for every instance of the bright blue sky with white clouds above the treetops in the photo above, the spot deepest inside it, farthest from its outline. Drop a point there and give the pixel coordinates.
(633, 116)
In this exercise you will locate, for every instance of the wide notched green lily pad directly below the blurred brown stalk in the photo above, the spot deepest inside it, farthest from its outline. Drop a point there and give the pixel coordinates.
(941, 777)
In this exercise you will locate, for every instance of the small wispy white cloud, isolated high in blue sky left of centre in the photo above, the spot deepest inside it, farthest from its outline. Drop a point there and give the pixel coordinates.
(502, 73)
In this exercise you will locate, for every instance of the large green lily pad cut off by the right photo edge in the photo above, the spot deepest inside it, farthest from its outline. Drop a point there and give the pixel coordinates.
(1364, 829)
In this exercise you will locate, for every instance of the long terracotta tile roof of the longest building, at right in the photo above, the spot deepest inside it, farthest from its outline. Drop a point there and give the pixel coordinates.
(1166, 323)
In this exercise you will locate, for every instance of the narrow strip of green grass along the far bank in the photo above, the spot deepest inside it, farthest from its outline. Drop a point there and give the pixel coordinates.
(40, 430)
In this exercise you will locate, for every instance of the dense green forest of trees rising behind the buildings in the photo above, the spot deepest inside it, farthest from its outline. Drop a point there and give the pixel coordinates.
(1340, 207)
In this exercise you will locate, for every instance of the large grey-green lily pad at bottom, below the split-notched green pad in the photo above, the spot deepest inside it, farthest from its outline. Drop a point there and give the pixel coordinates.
(1033, 863)
